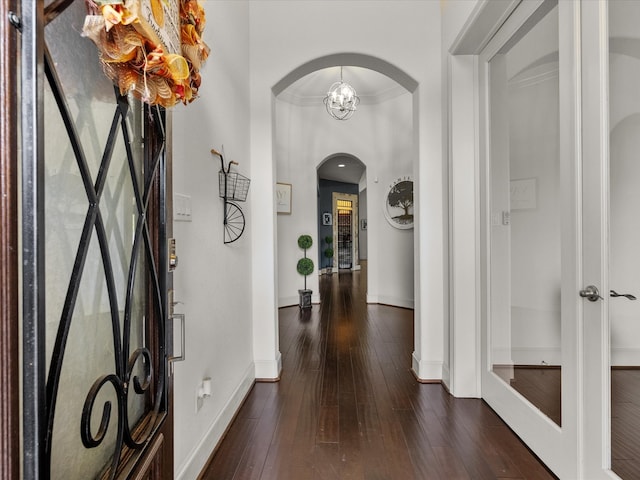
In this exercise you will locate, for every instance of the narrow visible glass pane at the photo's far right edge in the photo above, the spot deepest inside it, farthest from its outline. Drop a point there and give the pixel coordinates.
(624, 242)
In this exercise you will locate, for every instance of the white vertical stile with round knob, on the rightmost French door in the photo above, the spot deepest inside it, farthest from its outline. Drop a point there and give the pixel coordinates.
(596, 354)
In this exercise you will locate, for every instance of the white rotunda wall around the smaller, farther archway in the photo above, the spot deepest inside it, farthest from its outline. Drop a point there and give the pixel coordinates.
(380, 135)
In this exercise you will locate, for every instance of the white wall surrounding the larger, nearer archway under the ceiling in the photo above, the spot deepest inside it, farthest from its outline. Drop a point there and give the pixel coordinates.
(286, 35)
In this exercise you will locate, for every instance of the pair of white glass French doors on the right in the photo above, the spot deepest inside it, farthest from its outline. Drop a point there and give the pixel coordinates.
(560, 85)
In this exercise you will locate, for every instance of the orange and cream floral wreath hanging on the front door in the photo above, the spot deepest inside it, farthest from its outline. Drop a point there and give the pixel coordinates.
(138, 59)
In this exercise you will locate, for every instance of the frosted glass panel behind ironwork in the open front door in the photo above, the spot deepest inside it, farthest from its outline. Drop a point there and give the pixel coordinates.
(105, 344)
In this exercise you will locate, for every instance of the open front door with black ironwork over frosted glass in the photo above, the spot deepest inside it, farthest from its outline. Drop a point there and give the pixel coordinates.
(96, 382)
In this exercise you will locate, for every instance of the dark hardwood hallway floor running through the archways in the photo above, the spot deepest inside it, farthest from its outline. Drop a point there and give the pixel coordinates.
(348, 407)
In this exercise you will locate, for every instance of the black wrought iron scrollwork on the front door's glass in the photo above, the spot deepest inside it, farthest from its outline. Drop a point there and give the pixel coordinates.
(149, 382)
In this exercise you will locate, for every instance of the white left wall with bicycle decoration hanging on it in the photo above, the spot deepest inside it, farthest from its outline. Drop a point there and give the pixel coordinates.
(212, 279)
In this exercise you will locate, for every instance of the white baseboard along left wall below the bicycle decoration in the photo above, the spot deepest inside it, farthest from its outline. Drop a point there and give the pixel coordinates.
(197, 460)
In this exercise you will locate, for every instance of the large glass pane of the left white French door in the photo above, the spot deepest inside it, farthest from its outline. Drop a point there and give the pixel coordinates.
(525, 218)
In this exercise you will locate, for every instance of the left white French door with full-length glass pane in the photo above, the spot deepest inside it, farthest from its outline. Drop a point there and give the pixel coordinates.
(530, 169)
